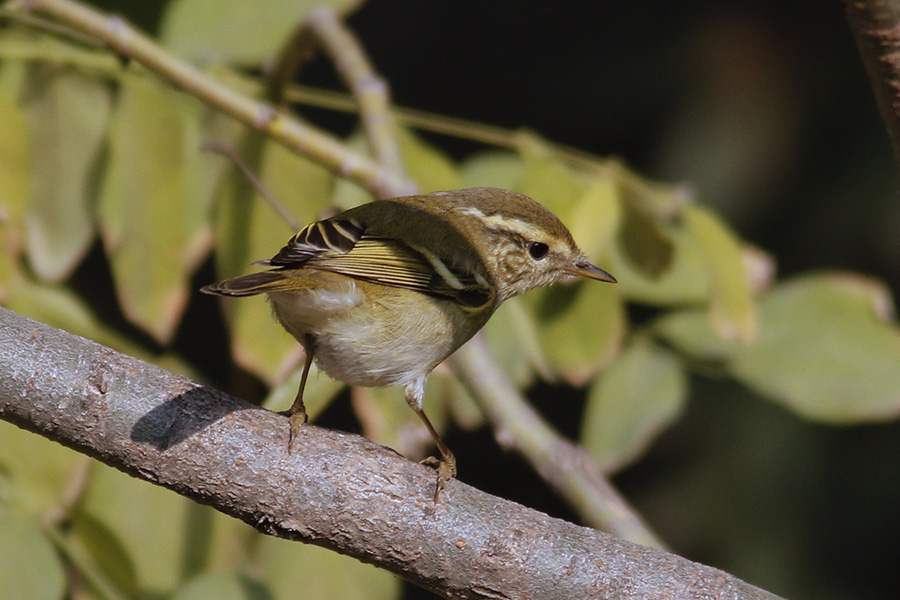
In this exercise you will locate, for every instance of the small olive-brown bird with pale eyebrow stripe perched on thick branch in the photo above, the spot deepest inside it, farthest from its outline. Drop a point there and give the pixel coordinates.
(382, 293)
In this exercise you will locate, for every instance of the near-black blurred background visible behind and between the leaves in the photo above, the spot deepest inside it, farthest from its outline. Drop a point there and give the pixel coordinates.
(764, 109)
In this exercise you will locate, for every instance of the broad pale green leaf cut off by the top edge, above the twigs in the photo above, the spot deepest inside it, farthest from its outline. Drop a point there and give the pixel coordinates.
(236, 31)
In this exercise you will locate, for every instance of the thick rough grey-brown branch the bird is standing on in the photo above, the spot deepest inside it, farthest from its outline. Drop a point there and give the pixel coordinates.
(336, 490)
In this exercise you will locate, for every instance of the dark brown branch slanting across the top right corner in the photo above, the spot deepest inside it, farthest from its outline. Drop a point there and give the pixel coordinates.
(876, 27)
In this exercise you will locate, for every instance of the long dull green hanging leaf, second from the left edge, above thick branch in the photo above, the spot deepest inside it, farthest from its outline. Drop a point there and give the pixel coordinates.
(67, 115)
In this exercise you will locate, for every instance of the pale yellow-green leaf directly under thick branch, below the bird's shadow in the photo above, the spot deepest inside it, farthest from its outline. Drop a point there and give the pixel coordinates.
(149, 521)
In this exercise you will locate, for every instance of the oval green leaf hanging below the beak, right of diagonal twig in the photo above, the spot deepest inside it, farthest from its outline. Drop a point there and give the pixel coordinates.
(639, 394)
